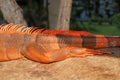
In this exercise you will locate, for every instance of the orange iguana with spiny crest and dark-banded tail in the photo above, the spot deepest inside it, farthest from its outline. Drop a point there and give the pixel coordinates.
(46, 46)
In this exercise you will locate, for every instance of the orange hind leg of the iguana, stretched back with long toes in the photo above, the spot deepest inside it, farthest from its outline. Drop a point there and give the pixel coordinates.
(35, 53)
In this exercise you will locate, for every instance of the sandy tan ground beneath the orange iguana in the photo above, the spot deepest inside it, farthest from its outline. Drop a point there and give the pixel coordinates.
(98, 67)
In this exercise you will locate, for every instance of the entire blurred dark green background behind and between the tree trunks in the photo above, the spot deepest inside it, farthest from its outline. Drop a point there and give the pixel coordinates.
(96, 16)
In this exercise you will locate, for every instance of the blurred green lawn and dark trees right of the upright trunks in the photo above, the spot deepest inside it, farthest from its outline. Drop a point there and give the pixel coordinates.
(96, 16)
